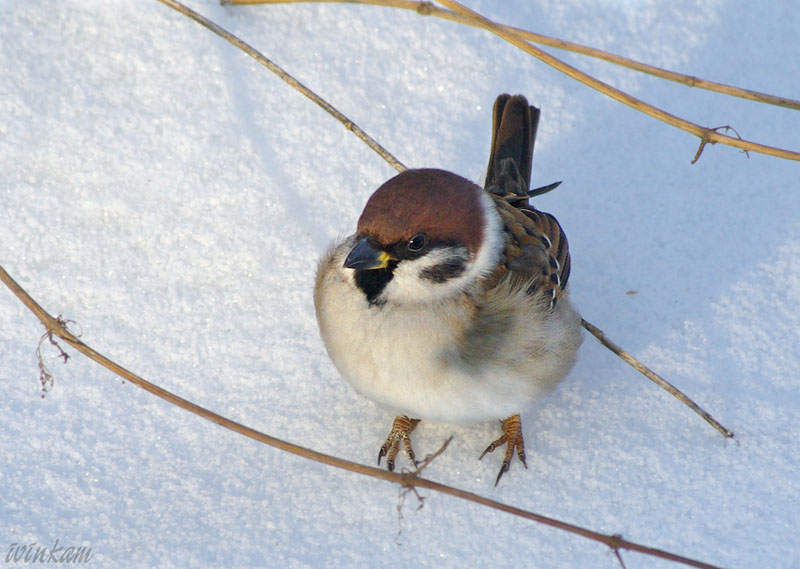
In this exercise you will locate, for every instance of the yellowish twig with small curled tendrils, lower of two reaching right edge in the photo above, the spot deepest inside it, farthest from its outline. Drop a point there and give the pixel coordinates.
(703, 133)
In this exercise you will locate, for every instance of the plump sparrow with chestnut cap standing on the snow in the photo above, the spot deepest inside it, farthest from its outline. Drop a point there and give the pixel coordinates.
(450, 301)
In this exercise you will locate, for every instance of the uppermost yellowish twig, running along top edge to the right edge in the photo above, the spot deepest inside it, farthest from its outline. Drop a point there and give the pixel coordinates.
(428, 9)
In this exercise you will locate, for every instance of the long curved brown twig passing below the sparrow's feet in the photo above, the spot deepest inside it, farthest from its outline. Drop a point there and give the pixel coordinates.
(409, 479)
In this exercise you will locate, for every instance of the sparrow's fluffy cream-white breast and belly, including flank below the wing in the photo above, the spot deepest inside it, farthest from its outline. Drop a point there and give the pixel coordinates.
(433, 362)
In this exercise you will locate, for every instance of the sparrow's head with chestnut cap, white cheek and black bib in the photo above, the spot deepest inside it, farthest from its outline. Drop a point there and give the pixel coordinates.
(424, 235)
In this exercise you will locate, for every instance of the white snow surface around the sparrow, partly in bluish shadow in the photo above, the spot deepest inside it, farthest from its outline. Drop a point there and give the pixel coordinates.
(172, 197)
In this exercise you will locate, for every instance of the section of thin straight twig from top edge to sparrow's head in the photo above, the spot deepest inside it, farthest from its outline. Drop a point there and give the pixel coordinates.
(280, 72)
